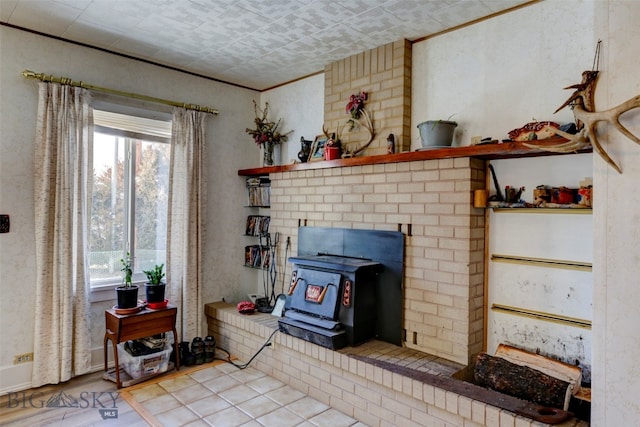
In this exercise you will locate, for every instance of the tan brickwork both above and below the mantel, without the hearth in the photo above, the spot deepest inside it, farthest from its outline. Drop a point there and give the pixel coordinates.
(429, 201)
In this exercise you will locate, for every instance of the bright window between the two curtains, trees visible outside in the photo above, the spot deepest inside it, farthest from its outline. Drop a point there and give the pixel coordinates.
(129, 196)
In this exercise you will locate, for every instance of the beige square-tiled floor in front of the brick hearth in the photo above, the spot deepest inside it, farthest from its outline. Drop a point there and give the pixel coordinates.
(225, 396)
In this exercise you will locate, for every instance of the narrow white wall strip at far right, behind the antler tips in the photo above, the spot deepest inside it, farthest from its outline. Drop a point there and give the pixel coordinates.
(616, 376)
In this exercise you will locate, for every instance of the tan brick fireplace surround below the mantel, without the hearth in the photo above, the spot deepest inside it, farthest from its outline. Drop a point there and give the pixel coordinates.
(430, 202)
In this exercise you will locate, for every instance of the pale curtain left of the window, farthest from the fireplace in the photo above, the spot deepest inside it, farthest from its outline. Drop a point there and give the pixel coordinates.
(63, 167)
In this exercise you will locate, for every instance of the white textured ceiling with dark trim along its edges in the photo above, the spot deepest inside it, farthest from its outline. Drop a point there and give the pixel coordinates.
(253, 43)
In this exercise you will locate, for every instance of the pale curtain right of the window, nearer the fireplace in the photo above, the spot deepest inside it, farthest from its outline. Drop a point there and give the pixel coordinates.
(187, 201)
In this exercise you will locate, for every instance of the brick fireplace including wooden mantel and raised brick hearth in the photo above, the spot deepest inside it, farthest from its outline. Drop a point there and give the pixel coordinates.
(429, 199)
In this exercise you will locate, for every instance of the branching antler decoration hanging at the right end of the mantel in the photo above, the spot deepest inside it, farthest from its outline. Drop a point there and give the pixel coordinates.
(582, 103)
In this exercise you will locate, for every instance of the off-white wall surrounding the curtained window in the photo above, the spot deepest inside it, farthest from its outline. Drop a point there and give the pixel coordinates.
(229, 149)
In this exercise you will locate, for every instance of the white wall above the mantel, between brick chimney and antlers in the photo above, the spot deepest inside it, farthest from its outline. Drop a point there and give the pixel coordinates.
(499, 74)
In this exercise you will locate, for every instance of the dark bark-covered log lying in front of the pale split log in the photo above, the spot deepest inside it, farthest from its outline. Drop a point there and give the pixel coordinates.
(521, 381)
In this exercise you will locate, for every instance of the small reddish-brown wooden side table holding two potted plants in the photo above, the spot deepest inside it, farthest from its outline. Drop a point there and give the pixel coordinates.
(145, 323)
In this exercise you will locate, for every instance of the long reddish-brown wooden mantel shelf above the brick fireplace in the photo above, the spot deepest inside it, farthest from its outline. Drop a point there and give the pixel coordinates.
(505, 150)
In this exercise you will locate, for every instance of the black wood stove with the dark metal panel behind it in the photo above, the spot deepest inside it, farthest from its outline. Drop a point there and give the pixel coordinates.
(337, 299)
